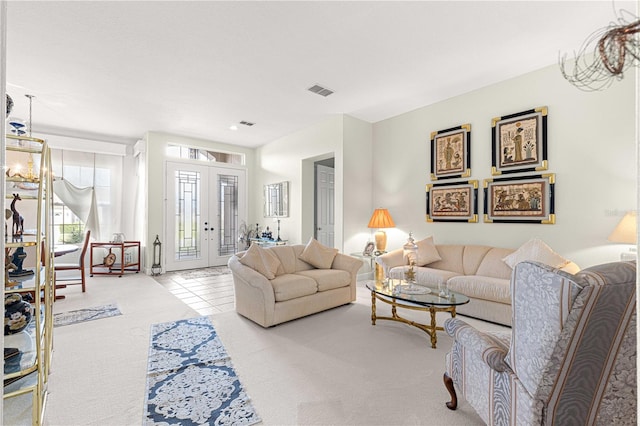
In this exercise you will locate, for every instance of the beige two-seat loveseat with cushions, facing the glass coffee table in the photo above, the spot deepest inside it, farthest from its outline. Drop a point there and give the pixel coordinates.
(290, 287)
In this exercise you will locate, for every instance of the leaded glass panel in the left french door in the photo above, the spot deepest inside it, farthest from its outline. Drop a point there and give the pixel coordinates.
(187, 215)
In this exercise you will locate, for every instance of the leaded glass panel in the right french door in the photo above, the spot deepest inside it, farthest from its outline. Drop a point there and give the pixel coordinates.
(228, 226)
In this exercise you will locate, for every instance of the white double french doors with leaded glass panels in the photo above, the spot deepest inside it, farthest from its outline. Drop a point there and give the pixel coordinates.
(205, 205)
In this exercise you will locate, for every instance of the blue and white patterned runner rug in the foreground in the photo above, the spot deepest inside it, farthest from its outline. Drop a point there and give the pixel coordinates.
(191, 380)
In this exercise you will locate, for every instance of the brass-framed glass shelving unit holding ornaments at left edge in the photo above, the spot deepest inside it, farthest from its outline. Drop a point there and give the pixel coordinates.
(26, 374)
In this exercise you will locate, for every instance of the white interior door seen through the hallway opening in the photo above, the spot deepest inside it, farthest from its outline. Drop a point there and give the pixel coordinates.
(325, 205)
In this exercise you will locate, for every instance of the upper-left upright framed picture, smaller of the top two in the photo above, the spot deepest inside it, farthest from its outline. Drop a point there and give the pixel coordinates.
(451, 153)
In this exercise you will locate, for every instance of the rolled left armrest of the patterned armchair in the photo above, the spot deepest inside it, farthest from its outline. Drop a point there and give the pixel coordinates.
(488, 347)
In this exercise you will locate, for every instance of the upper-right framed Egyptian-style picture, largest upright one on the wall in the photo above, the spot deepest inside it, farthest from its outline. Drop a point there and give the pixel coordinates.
(519, 142)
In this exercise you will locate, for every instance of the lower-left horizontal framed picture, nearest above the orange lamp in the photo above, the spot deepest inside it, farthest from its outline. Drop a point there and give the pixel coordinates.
(456, 202)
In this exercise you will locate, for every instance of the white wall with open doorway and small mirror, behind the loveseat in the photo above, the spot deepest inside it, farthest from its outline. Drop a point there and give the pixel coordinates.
(291, 159)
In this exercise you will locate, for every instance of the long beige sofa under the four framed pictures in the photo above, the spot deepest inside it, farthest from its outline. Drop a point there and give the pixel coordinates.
(477, 271)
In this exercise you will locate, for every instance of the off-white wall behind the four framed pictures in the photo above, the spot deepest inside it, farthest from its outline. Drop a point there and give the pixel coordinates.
(591, 141)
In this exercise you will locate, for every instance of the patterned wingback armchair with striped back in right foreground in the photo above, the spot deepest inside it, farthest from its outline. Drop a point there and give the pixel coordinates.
(570, 358)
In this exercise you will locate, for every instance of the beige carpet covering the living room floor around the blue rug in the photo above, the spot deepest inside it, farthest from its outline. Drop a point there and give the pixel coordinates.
(330, 368)
